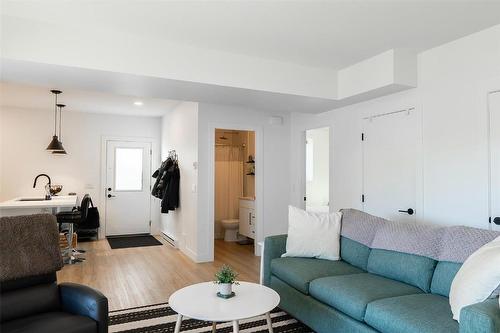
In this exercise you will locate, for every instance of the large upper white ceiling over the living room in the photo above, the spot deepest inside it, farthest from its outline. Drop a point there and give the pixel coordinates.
(330, 34)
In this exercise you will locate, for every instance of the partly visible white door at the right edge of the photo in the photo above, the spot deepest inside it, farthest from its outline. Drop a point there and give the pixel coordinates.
(494, 110)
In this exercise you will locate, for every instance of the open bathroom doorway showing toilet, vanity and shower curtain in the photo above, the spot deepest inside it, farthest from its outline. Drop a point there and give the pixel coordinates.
(234, 190)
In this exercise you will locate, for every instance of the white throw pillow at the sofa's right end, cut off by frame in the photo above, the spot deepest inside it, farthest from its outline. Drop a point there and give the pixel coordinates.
(478, 277)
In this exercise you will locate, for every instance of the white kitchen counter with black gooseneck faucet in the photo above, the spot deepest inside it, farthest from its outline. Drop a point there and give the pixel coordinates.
(18, 207)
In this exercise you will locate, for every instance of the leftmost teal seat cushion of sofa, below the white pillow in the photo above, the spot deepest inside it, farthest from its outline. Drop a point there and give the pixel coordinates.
(298, 272)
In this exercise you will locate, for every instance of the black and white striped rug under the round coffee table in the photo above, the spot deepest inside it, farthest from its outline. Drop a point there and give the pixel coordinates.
(160, 318)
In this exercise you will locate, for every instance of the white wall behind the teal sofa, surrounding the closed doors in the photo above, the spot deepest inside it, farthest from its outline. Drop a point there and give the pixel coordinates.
(453, 161)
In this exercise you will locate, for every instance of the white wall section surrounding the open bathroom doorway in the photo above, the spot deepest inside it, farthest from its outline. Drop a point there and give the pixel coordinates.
(272, 170)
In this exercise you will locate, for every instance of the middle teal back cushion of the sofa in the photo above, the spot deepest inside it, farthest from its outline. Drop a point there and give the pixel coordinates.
(404, 267)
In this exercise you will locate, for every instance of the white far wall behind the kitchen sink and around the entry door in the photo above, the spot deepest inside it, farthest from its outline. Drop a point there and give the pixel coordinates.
(26, 132)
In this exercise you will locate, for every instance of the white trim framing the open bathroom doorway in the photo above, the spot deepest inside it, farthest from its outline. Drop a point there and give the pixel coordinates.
(259, 181)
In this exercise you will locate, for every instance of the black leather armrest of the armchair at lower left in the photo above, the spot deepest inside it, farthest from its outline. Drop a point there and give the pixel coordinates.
(85, 301)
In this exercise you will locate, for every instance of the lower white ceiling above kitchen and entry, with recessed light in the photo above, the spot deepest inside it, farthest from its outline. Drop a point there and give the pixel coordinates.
(40, 97)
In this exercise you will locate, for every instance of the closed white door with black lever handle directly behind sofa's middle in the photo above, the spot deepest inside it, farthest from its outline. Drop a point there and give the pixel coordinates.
(389, 165)
